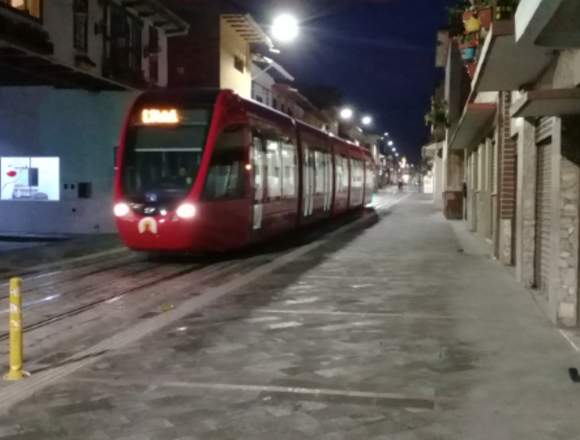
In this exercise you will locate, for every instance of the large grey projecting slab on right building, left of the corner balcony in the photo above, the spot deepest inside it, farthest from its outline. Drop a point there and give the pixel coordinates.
(505, 65)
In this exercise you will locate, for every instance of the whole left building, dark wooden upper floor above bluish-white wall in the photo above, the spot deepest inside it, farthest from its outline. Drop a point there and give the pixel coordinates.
(69, 70)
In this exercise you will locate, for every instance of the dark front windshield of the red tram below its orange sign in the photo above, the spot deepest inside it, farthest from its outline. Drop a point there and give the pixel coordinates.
(162, 160)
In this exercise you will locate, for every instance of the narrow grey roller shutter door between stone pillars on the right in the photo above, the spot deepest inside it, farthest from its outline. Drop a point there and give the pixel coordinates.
(543, 206)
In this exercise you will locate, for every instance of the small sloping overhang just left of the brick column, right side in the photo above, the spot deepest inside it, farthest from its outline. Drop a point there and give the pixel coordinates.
(477, 117)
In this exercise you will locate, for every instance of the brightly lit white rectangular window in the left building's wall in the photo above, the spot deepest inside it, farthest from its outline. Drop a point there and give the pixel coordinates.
(30, 178)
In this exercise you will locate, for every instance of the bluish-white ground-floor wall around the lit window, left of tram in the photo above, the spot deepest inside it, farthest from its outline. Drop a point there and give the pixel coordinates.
(82, 129)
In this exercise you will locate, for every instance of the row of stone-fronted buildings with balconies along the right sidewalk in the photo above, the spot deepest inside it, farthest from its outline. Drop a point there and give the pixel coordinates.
(518, 137)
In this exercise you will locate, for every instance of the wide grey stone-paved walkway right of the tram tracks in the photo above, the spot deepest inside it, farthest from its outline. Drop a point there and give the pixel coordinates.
(388, 333)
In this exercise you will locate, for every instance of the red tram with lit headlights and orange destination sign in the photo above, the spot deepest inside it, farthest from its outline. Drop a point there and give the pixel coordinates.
(209, 171)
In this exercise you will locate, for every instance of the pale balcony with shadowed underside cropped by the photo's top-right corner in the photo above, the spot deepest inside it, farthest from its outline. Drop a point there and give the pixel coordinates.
(548, 23)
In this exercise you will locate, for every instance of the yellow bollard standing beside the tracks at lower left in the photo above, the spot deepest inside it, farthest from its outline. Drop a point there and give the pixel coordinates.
(16, 343)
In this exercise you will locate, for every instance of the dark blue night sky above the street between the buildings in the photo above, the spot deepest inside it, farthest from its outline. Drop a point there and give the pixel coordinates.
(380, 53)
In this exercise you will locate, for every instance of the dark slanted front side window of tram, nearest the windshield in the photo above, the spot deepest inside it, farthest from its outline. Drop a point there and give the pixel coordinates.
(225, 179)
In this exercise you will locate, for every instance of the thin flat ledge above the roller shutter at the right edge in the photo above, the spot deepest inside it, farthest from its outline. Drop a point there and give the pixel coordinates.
(550, 102)
